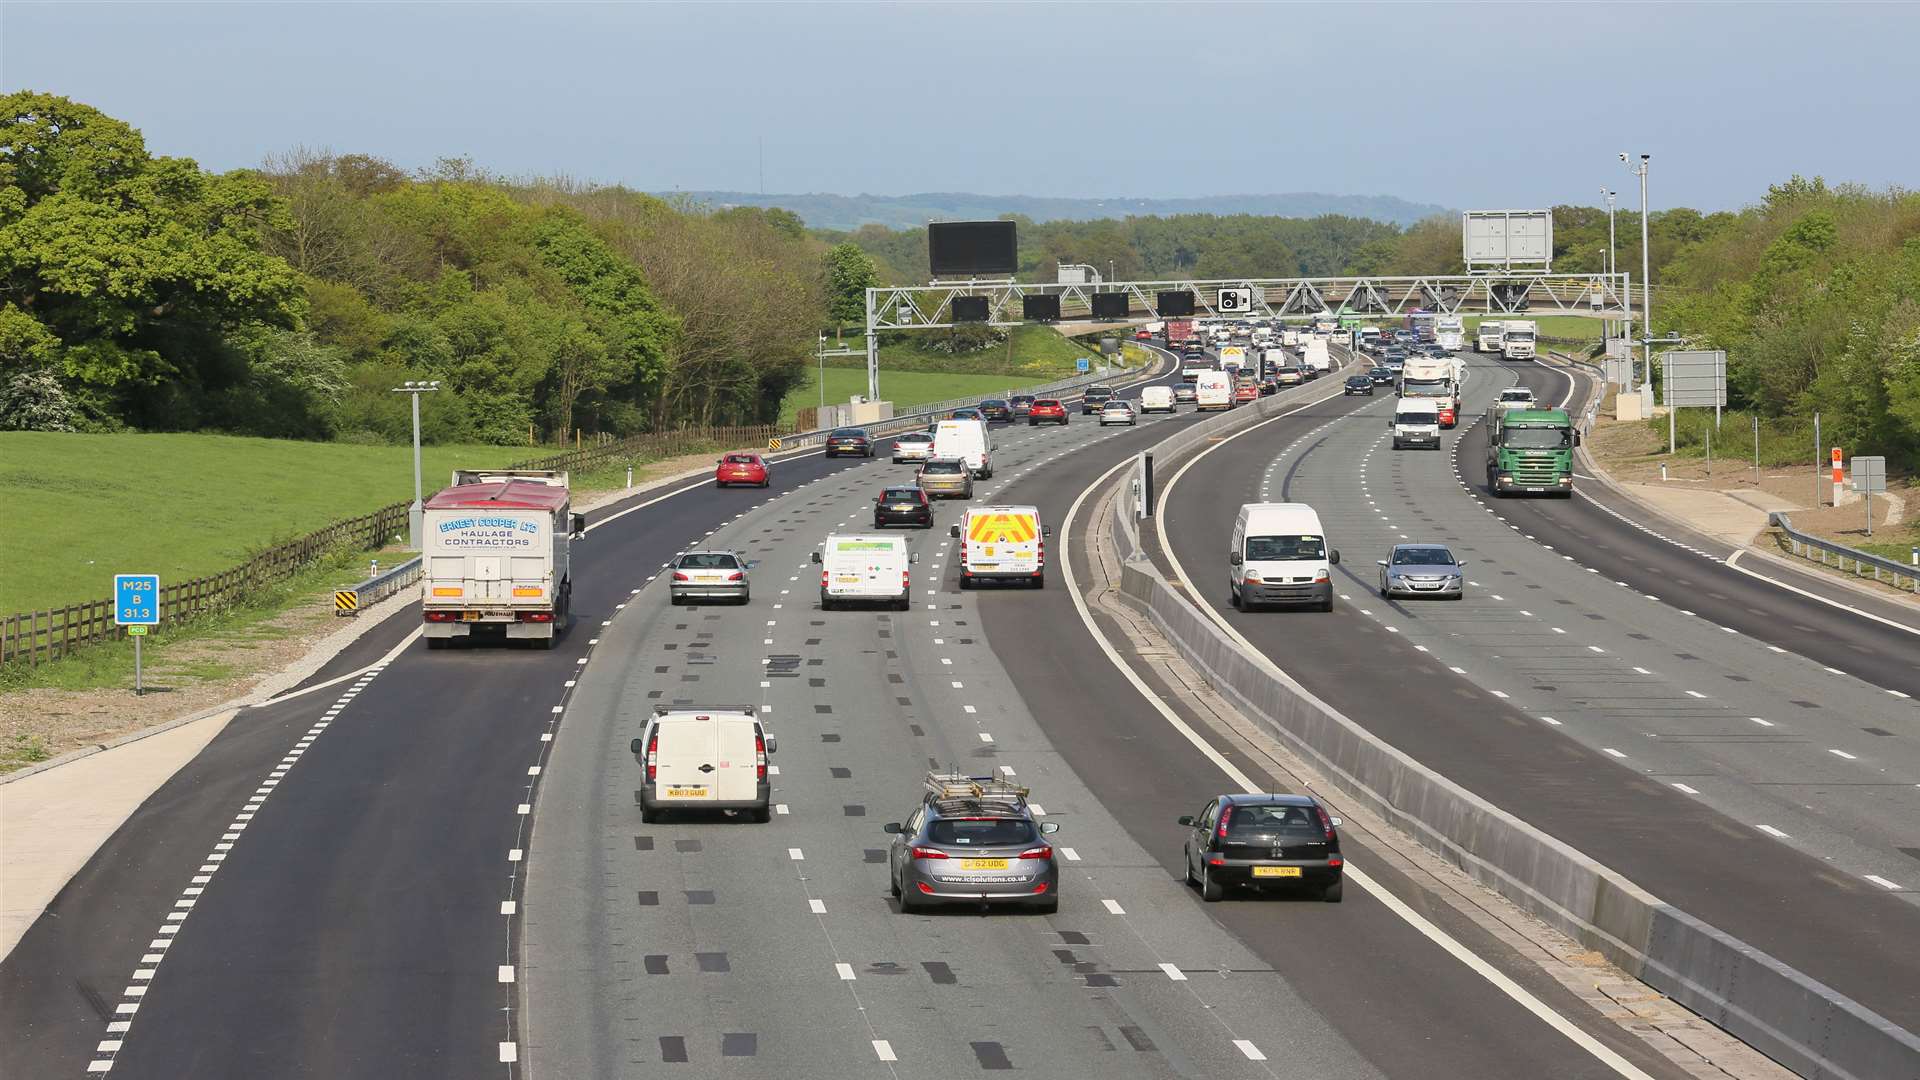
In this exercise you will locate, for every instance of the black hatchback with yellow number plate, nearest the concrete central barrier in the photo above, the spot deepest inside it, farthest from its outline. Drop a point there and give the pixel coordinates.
(1243, 841)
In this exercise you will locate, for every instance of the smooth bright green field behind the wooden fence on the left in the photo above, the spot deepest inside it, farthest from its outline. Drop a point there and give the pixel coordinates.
(87, 506)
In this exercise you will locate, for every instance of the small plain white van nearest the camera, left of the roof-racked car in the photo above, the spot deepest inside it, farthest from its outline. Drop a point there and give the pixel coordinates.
(704, 760)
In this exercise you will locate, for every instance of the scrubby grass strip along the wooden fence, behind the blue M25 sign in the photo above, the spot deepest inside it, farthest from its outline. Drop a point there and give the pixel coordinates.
(110, 664)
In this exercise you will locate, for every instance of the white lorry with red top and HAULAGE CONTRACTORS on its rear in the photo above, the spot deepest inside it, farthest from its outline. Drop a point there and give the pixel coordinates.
(496, 558)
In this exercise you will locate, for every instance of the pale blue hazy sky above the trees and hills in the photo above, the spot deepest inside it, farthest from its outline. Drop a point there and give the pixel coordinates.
(1456, 105)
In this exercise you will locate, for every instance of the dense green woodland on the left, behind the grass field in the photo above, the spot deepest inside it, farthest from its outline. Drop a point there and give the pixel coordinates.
(141, 291)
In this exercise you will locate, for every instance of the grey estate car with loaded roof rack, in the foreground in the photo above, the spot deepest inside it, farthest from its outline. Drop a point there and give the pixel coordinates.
(974, 843)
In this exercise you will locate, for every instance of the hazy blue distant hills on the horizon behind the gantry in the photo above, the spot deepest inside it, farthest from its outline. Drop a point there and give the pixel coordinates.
(913, 210)
